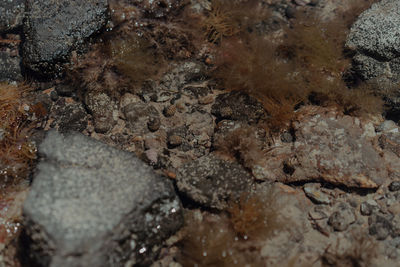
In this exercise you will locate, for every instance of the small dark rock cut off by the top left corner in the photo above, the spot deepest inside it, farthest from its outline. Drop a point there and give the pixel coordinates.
(12, 14)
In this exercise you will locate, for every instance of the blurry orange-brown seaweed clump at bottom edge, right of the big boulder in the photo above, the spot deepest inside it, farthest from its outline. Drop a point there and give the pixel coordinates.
(233, 238)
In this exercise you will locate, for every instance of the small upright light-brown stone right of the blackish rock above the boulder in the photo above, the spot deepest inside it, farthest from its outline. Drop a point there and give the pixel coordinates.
(101, 107)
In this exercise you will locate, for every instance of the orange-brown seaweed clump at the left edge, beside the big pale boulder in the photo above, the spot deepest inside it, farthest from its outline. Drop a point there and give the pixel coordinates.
(17, 153)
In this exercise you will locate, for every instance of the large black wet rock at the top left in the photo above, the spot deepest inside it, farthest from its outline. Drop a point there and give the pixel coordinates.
(54, 27)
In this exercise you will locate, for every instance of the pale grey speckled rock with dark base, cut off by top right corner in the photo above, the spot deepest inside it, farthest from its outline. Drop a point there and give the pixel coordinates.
(374, 37)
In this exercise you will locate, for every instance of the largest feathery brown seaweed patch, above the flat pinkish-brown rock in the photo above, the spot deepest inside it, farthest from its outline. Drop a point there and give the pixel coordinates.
(304, 67)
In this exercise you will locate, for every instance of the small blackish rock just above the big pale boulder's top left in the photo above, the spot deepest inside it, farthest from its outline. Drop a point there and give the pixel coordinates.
(70, 116)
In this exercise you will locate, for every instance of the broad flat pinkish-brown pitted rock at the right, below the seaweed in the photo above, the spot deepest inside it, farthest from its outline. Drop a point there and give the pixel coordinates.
(337, 149)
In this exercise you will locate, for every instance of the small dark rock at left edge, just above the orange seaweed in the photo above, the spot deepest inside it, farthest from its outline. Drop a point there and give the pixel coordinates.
(10, 69)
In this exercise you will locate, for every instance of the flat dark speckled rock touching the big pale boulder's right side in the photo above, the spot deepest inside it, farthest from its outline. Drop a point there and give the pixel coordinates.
(213, 182)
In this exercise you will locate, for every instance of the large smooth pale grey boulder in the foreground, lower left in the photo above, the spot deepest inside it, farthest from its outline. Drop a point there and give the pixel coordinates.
(94, 205)
